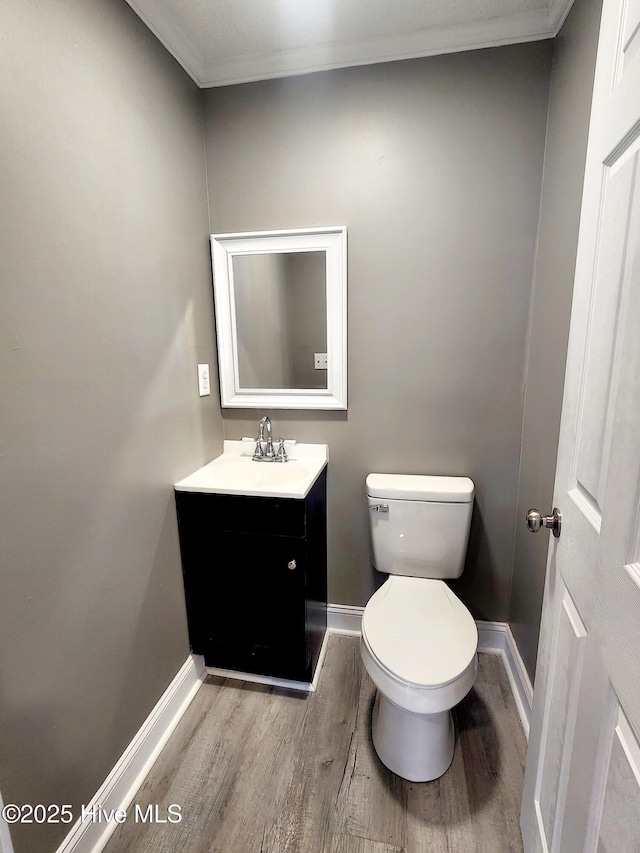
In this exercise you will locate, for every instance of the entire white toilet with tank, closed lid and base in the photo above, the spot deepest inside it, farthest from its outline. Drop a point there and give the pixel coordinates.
(419, 641)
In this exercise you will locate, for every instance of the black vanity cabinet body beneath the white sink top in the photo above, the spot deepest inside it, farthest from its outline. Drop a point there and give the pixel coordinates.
(255, 576)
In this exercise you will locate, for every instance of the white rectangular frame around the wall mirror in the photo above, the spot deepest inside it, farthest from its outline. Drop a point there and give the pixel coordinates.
(224, 247)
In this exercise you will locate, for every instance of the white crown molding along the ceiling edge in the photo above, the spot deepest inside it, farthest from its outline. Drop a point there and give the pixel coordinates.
(288, 63)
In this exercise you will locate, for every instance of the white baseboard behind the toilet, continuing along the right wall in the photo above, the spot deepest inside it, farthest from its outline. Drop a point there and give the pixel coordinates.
(493, 638)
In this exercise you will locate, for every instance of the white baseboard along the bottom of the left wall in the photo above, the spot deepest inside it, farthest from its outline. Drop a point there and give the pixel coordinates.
(123, 782)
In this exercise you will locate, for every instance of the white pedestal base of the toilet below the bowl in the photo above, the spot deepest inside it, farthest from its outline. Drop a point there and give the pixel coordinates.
(417, 747)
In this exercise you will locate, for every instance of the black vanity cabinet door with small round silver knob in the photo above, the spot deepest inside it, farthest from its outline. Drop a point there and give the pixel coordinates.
(253, 595)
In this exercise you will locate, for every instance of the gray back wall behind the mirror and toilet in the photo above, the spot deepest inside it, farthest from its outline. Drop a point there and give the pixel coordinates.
(435, 166)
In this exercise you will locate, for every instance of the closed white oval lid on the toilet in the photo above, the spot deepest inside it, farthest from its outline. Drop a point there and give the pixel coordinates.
(420, 631)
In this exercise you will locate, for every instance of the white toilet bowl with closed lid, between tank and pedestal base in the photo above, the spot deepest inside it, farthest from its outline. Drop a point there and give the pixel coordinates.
(419, 644)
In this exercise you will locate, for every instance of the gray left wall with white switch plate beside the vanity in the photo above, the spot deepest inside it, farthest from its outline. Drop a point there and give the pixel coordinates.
(106, 309)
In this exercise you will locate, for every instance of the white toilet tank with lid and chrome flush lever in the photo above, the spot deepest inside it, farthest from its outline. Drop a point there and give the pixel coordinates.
(421, 526)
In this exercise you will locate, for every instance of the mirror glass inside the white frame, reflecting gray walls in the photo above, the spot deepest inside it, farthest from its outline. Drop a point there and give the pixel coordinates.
(280, 303)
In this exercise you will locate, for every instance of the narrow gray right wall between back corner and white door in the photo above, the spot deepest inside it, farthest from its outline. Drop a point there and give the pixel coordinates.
(569, 109)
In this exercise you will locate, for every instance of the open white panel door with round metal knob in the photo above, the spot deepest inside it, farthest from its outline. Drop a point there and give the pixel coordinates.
(582, 782)
